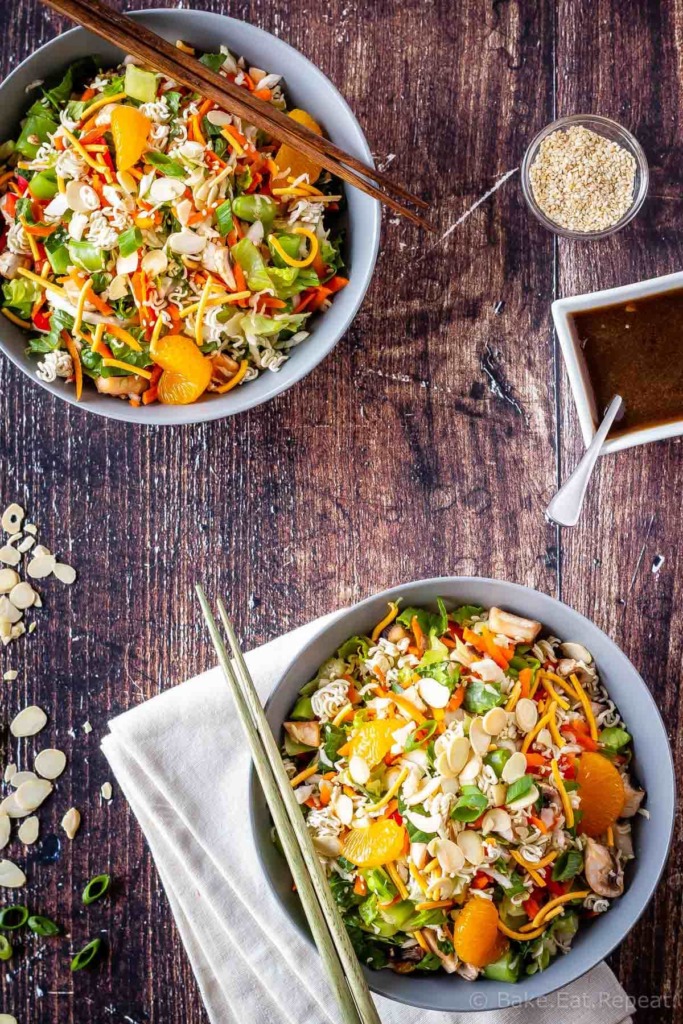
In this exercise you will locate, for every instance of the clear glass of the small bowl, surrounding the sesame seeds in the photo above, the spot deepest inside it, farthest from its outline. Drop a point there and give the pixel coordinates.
(616, 134)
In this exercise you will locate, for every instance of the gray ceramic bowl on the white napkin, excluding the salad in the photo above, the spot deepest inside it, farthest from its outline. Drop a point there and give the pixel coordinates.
(654, 769)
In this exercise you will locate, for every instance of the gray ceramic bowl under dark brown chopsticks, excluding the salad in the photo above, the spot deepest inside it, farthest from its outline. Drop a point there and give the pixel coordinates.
(306, 87)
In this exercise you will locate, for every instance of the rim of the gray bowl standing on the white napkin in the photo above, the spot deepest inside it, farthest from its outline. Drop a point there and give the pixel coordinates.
(484, 1001)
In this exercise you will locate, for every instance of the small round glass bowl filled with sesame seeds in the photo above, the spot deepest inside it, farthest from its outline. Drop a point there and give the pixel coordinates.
(585, 177)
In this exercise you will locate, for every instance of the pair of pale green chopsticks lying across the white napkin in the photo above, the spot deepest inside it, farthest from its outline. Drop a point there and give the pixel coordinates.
(328, 929)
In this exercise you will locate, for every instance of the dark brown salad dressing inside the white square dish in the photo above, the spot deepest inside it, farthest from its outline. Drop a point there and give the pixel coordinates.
(635, 350)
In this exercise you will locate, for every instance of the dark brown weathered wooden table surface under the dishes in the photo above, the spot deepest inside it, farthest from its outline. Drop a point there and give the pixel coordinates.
(428, 444)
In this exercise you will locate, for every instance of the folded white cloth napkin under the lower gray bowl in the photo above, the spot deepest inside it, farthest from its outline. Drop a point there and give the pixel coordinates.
(183, 764)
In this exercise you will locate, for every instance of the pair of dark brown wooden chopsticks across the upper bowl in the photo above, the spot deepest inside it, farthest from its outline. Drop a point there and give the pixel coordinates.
(141, 42)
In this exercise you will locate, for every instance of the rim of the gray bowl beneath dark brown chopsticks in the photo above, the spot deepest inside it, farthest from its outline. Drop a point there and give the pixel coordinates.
(221, 407)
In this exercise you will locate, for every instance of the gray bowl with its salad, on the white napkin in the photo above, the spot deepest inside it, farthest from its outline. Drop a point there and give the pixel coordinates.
(513, 675)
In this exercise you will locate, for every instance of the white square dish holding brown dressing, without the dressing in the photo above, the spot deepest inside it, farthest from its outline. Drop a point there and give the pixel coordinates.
(574, 359)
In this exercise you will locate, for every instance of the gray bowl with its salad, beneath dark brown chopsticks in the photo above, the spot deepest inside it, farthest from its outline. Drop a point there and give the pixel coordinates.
(101, 233)
